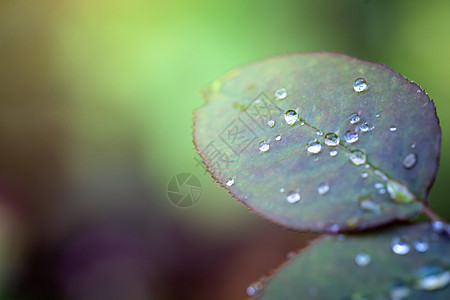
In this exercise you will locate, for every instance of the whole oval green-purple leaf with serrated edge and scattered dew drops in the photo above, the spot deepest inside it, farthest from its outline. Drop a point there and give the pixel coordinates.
(400, 142)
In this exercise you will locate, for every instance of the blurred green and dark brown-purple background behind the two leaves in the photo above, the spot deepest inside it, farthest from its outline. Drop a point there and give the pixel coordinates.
(97, 101)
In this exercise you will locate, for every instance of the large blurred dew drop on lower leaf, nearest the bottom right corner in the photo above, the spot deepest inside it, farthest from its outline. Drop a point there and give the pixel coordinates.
(432, 277)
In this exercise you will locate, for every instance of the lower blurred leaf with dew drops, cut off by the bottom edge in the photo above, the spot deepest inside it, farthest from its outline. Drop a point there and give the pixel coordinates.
(366, 267)
